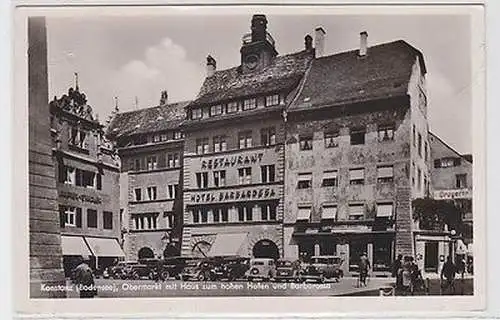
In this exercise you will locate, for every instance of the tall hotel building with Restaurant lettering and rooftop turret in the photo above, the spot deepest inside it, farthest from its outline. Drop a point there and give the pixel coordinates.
(234, 151)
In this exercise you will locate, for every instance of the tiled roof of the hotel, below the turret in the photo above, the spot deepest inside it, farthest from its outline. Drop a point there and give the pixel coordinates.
(283, 73)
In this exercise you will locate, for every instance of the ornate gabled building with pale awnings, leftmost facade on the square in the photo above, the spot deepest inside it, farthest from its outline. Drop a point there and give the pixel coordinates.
(87, 173)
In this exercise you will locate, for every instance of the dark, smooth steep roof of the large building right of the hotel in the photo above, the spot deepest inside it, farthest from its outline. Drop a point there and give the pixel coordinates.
(347, 78)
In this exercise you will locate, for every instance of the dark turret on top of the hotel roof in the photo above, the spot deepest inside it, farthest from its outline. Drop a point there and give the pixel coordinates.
(257, 50)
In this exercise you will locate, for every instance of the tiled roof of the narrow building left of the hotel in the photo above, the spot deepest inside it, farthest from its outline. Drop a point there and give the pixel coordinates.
(148, 120)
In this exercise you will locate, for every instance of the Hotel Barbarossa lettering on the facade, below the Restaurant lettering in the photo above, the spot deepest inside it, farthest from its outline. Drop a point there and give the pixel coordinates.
(231, 195)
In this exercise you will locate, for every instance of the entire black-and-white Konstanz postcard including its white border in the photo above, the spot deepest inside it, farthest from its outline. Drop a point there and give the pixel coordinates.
(285, 159)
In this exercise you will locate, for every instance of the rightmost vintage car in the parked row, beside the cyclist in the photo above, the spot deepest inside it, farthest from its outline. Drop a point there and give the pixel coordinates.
(322, 268)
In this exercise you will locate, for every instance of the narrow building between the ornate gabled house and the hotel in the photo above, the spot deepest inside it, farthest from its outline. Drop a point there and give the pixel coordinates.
(150, 146)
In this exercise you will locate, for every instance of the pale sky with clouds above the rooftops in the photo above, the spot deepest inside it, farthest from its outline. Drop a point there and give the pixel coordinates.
(137, 56)
